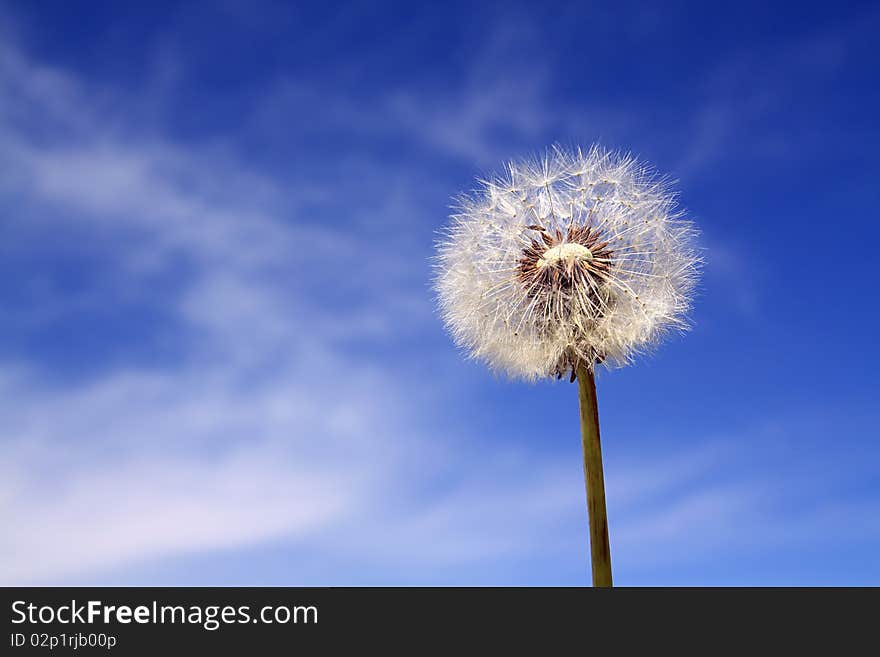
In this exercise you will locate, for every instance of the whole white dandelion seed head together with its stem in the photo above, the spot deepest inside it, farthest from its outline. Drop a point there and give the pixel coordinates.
(563, 263)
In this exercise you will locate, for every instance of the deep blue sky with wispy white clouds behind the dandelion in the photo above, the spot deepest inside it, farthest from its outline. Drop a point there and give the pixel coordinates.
(219, 357)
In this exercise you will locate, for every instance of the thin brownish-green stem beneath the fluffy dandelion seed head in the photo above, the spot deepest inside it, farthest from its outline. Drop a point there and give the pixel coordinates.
(600, 547)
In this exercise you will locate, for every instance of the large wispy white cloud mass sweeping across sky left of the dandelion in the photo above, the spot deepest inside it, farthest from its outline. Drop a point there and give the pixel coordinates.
(268, 428)
